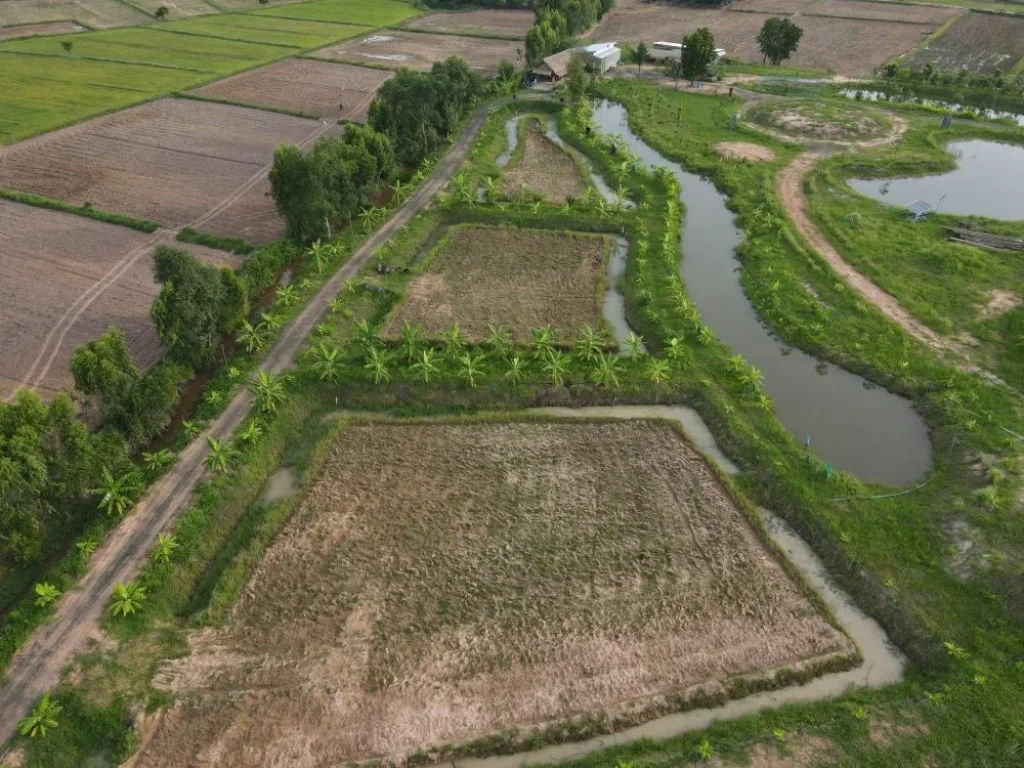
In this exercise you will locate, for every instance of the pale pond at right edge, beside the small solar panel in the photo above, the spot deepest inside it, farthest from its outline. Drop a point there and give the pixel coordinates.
(989, 182)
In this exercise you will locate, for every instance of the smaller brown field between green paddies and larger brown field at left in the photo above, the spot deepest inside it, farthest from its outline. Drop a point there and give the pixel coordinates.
(320, 90)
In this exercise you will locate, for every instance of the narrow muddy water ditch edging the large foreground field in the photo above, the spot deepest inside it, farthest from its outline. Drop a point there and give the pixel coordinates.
(883, 665)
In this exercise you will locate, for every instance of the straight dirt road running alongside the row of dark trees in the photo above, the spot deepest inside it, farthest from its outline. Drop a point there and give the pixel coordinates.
(37, 667)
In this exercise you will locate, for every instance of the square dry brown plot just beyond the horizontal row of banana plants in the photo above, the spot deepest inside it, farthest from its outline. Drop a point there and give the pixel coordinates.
(520, 279)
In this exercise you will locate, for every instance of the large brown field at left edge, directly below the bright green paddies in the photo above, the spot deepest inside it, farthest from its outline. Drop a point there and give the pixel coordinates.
(180, 162)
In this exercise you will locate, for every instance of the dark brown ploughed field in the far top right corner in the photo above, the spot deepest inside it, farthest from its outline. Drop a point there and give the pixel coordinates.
(978, 42)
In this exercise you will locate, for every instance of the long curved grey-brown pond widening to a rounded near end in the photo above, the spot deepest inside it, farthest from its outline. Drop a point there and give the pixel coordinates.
(863, 430)
